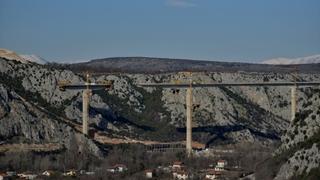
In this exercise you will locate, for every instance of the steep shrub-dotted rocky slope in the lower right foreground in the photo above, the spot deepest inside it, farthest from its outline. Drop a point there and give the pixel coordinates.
(300, 150)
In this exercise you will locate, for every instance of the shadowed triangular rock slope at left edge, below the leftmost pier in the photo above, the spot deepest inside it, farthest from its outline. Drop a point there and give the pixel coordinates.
(26, 121)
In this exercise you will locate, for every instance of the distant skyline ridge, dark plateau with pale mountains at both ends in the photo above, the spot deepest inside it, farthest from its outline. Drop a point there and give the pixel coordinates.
(164, 65)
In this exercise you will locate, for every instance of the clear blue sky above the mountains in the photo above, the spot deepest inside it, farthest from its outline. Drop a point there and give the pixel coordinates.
(241, 30)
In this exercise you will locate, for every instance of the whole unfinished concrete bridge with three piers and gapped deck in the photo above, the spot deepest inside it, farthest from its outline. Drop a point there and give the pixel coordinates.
(87, 88)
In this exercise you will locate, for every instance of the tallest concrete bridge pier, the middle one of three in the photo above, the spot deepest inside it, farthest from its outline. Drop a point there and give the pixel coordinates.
(189, 122)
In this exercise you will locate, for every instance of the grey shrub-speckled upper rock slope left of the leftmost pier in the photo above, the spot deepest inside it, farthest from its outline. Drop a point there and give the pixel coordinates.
(40, 79)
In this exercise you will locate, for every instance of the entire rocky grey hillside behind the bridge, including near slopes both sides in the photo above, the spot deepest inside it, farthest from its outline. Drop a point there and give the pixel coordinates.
(33, 110)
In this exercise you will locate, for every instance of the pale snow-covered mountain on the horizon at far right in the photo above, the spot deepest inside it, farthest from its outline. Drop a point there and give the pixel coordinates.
(286, 61)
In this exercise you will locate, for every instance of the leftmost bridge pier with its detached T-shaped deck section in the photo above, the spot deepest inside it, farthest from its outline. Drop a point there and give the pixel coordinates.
(87, 88)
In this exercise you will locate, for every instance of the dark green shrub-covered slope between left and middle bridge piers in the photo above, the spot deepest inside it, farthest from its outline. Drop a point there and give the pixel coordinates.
(148, 123)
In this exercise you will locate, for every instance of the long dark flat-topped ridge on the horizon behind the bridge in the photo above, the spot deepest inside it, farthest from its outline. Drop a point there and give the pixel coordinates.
(164, 65)
